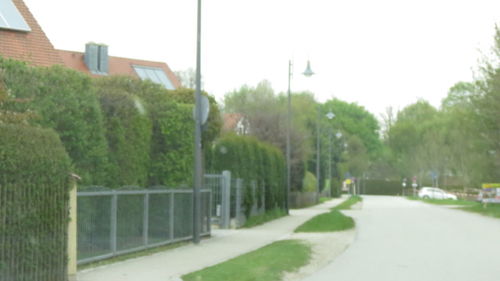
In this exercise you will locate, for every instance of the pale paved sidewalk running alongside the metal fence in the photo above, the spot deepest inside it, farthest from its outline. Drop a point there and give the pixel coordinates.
(223, 245)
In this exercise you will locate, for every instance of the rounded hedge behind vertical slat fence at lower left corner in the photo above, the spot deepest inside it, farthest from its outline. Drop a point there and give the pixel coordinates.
(34, 185)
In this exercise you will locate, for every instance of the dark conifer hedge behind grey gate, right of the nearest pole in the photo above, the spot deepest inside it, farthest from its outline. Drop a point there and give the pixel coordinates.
(252, 160)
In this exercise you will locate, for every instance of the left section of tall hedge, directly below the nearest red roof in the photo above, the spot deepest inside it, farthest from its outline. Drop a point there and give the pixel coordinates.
(65, 101)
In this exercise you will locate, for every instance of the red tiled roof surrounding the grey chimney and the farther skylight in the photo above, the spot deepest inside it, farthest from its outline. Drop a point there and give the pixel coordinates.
(117, 66)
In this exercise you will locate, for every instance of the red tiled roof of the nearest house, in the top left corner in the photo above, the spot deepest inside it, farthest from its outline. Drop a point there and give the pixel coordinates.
(33, 47)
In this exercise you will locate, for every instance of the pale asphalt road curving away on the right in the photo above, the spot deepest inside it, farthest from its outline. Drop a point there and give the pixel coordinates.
(403, 240)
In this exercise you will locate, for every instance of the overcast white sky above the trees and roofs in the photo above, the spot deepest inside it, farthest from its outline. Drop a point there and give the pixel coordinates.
(376, 53)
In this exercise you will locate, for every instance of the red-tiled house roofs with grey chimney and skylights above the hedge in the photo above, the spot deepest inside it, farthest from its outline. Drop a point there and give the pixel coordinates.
(21, 38)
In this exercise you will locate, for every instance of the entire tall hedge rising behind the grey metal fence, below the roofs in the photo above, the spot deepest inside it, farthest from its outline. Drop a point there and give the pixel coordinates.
(117, 130)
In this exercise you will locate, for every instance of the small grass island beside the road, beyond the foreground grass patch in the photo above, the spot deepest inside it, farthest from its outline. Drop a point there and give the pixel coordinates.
(328, 222)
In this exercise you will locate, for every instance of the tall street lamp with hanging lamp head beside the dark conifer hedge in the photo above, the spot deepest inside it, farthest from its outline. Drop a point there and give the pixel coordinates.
(308, 73)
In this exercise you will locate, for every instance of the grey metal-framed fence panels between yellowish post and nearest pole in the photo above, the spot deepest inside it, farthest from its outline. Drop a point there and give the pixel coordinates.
(115, 222)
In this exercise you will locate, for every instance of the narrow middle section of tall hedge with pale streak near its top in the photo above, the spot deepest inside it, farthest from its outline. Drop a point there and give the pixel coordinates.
(128, 132)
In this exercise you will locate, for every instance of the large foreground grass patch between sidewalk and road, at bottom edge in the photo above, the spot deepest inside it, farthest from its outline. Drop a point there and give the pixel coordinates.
(265, 264)
